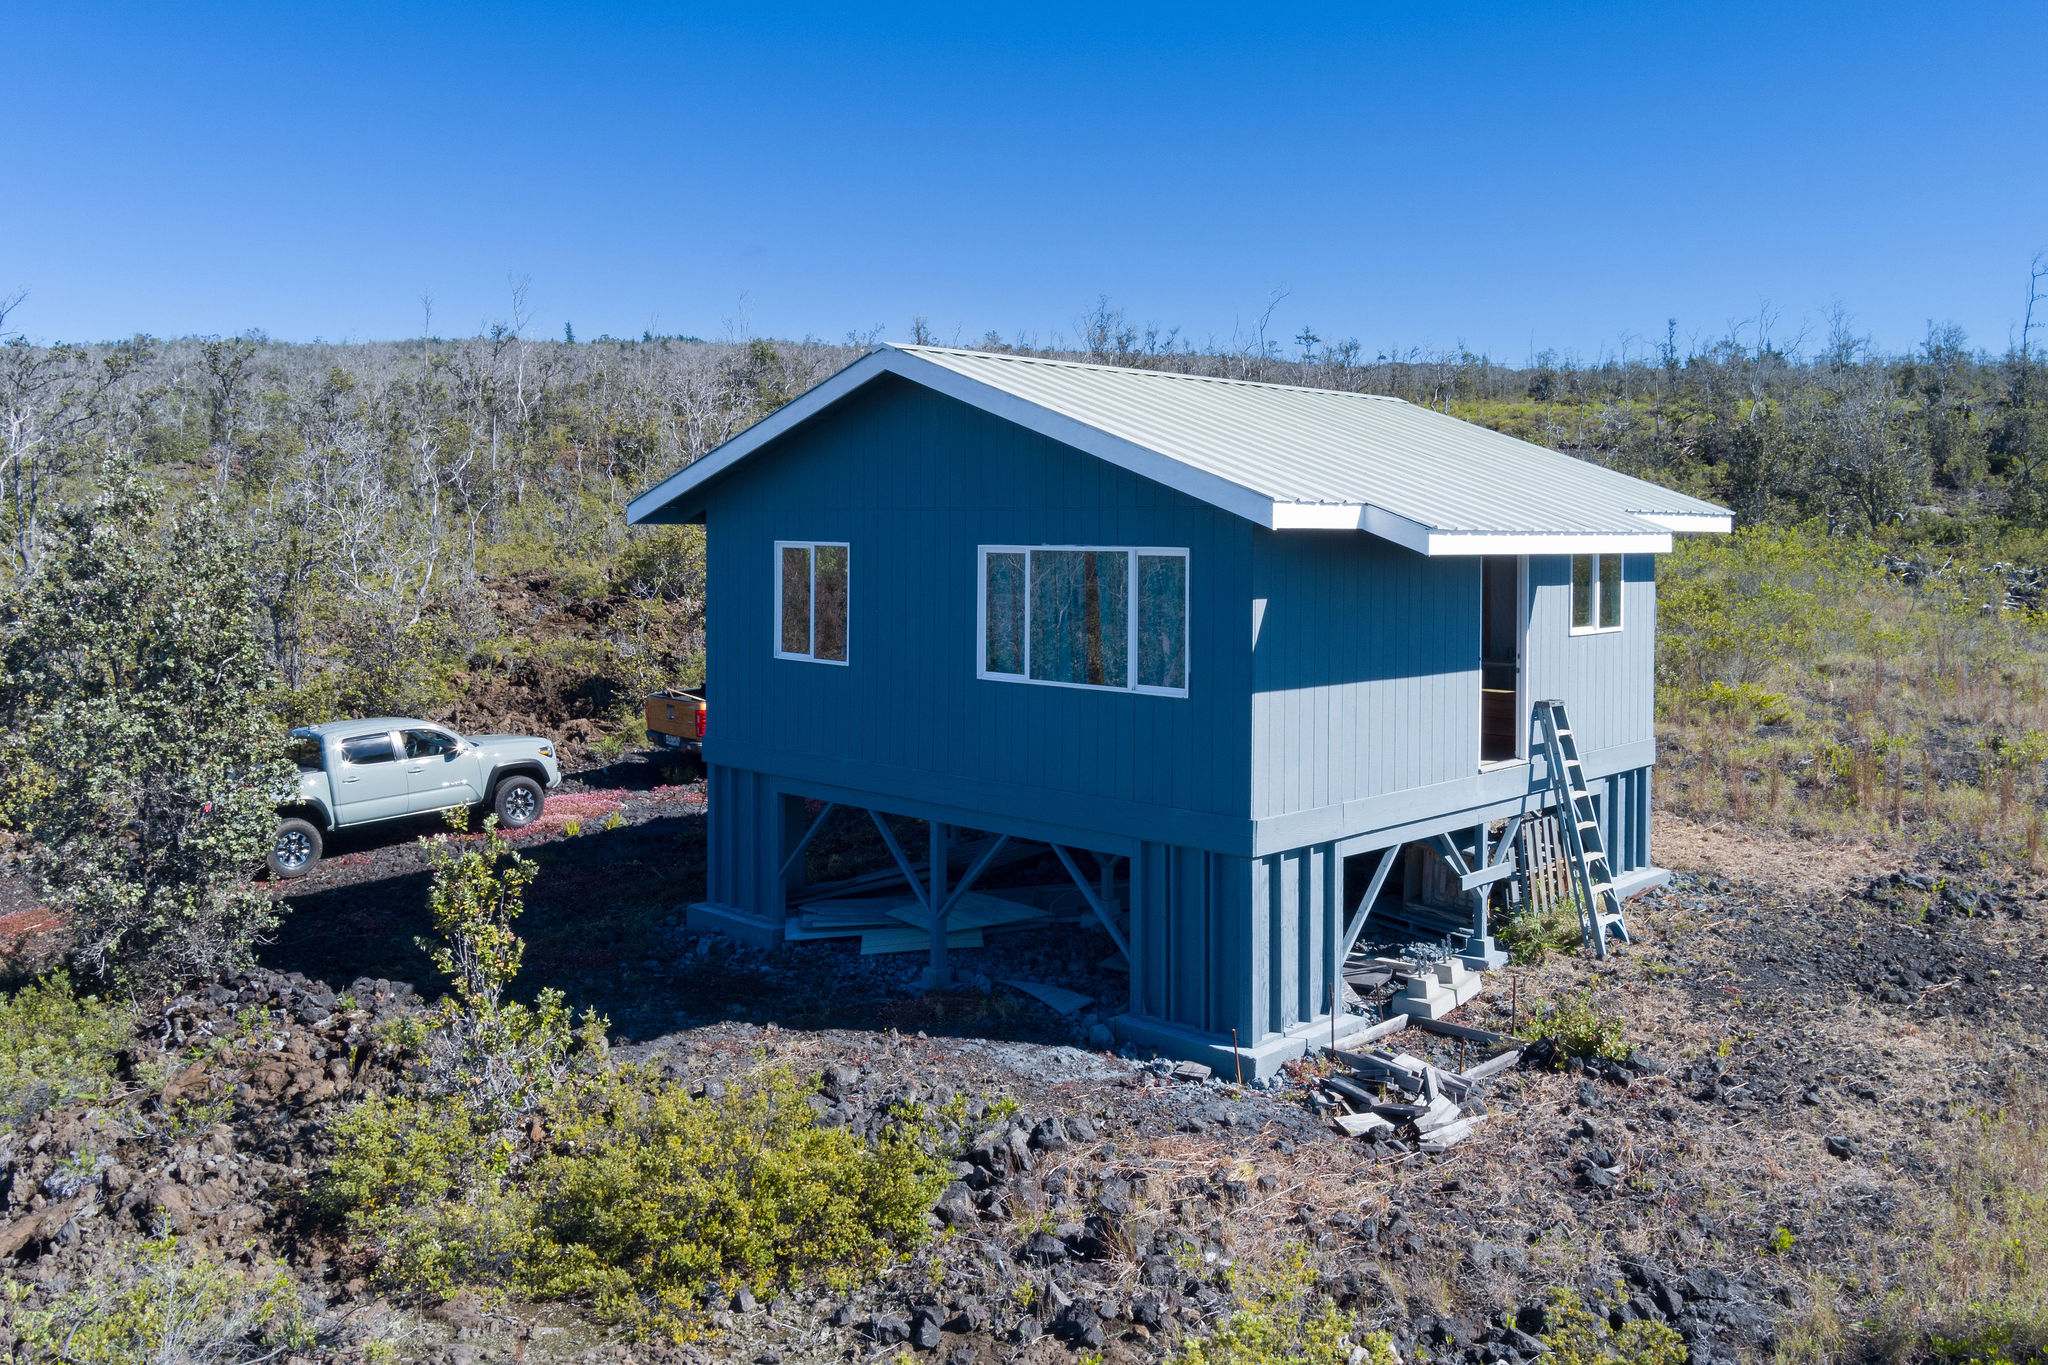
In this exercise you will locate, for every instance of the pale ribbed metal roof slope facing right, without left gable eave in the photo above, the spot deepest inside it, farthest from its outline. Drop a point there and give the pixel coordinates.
(1330, 447)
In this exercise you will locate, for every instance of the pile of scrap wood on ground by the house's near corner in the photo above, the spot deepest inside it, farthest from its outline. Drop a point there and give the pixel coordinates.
(1404, 1104)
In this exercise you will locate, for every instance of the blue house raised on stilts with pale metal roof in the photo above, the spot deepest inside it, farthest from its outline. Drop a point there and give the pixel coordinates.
(1244, 644)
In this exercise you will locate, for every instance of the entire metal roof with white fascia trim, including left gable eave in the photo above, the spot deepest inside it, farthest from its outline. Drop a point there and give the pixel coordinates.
(1279, 455)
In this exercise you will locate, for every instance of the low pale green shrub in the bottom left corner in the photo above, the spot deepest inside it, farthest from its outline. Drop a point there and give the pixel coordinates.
(169, 1307)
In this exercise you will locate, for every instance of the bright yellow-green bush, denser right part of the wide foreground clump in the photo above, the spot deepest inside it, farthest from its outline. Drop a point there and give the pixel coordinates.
(652, 1196)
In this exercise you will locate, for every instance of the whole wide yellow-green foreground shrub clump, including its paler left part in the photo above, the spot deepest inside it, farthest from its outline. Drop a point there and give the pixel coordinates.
(642, 1200)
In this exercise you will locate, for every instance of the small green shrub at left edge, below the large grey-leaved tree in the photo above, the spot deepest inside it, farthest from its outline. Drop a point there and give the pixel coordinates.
(56, 1047)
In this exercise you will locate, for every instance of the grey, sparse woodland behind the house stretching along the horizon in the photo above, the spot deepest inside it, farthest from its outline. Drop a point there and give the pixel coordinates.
(380, 486)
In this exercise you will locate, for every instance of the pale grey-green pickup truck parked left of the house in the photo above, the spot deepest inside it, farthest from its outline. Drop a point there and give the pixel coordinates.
(359, 773)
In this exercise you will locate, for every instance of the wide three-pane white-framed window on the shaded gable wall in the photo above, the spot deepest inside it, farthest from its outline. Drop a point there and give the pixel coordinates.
(1086, 617)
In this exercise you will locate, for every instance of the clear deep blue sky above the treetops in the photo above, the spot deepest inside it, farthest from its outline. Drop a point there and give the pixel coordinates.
(1506, 177)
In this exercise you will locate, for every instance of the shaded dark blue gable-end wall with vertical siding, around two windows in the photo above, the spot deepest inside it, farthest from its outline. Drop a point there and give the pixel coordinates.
(914, 484)
